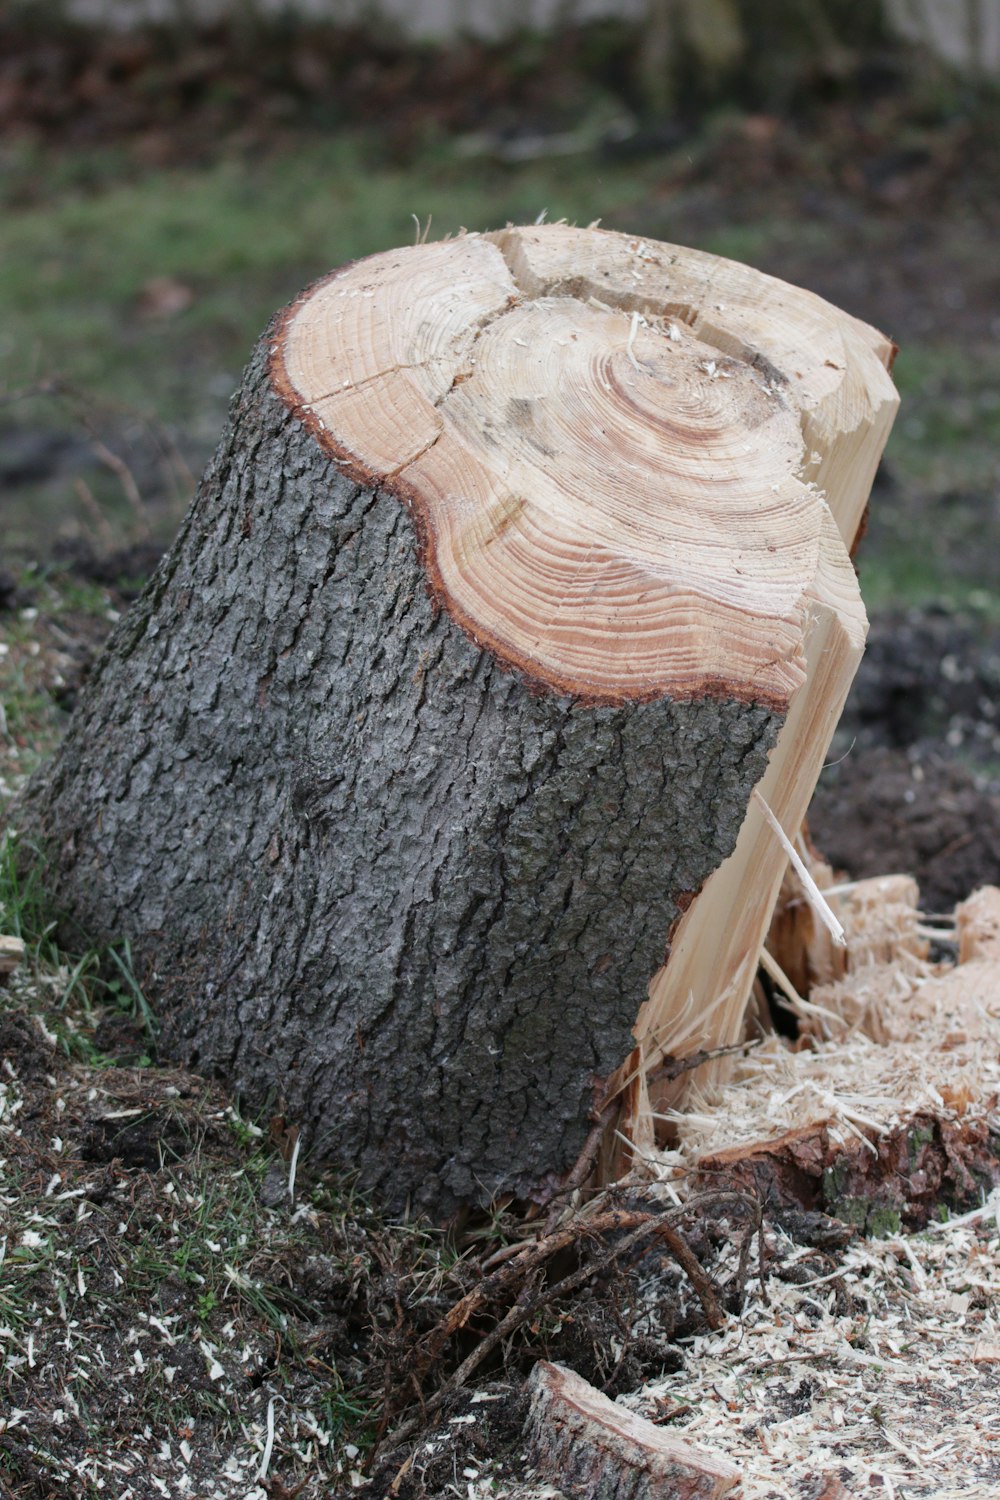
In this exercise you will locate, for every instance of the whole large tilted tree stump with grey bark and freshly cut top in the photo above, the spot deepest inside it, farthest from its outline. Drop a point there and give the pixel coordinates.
(522, 563)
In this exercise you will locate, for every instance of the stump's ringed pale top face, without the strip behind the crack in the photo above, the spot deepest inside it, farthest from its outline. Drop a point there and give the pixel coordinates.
(611, 506)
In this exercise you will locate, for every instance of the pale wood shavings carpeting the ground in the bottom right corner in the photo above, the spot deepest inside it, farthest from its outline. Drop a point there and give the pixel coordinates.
(872, 1373)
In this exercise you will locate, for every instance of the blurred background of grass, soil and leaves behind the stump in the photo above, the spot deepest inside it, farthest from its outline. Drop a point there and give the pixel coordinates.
(173, 172)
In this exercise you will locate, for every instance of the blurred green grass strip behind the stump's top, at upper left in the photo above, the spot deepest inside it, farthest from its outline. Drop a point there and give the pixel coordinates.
(244, 236)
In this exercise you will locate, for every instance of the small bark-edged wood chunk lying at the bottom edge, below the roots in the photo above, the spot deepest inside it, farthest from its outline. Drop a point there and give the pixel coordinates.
(594, 1448)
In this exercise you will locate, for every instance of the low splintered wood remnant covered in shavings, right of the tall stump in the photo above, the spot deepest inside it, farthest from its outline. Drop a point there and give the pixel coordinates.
(887, 1105)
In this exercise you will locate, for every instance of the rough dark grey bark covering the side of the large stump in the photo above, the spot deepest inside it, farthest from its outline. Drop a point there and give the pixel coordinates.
(361, 865)
